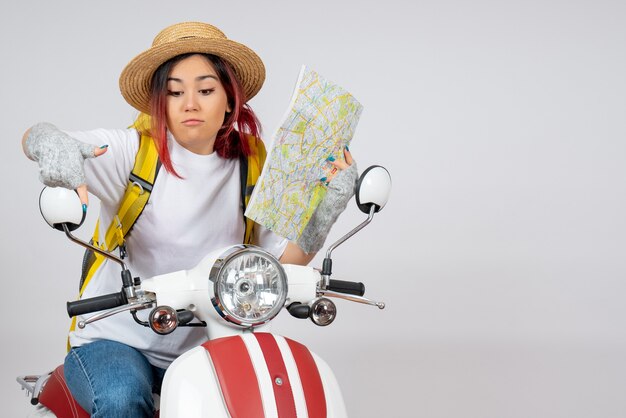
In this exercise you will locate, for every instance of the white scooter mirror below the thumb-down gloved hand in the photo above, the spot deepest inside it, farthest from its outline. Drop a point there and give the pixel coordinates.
(60, 206)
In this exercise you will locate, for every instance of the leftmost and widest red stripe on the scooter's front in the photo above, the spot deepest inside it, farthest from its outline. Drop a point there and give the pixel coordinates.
(237, 377)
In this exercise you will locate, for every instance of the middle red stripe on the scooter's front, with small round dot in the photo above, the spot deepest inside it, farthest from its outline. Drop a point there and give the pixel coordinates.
(283, 395)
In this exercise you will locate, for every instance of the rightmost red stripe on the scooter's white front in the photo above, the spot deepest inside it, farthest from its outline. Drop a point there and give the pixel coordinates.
(311, 381)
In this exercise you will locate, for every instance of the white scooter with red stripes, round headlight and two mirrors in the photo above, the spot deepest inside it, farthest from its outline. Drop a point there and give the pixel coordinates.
(242, 370)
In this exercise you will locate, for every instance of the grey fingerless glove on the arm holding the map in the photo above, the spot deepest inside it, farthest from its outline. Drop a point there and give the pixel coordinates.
(339, 192)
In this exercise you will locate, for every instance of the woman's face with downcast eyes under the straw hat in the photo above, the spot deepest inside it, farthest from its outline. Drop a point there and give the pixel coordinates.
(196, 104)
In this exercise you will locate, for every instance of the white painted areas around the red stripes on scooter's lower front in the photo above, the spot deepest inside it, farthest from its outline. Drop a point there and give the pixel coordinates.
(191, 387)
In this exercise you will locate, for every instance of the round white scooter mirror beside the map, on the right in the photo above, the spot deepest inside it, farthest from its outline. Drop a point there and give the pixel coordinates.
(373, 189)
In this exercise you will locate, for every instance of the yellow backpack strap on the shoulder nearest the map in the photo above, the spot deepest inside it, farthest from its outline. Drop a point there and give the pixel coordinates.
(251, 167)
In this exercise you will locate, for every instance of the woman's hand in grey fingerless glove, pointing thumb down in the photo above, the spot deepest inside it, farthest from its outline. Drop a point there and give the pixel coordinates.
(60, 157)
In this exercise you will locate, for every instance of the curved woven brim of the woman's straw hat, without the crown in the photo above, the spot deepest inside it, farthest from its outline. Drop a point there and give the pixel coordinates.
(137, 75)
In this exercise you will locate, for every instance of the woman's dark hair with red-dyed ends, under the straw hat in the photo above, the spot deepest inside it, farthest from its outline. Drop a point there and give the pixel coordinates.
(231, 139)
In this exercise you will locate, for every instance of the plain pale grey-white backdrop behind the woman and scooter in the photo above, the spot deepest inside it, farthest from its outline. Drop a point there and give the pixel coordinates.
(501, 252)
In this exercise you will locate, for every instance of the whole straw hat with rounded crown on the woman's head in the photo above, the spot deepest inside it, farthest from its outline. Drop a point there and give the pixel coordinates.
(183, 38)
